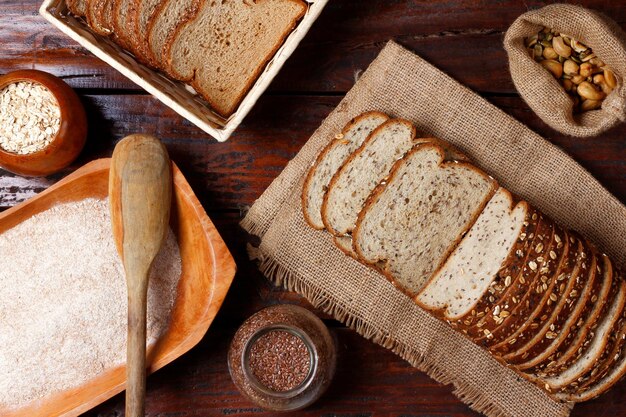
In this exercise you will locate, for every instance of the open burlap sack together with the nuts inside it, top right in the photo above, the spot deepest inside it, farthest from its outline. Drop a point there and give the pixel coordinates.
(567, 63)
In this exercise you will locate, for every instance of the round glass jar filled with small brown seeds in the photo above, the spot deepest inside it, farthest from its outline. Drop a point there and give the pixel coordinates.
(282, 358)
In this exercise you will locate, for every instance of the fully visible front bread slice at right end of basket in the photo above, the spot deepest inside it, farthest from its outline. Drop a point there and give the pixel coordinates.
(237, 38)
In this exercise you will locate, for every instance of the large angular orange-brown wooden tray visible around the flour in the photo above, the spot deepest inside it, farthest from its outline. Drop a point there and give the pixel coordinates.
(207, 272)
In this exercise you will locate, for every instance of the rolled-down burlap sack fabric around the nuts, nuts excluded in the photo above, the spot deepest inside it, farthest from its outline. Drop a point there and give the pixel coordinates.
(542, 91)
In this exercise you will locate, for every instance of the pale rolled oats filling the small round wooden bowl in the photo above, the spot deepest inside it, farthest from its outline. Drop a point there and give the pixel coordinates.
(30, 117)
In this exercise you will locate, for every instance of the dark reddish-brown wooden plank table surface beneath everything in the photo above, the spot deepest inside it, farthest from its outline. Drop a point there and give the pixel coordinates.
(463, 38)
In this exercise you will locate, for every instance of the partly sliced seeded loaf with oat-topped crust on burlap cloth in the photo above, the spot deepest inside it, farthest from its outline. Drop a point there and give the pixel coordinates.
(543, 300)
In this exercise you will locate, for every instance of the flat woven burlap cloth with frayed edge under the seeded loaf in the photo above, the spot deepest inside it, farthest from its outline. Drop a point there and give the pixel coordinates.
(304, 260)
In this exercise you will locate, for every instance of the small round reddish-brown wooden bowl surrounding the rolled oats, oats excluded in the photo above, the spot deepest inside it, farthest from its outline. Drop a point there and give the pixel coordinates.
(69, 140)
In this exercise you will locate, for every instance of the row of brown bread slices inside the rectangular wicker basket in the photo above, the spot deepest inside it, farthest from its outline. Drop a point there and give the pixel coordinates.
(219, 47)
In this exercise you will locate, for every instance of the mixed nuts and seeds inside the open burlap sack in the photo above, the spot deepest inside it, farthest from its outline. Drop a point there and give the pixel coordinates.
(581, 73)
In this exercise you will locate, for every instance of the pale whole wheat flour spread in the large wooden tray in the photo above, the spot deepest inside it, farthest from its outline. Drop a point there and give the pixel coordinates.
(63, 301)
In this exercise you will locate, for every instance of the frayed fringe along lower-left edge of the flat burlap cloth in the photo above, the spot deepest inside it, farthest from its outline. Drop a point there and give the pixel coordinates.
(281, 277)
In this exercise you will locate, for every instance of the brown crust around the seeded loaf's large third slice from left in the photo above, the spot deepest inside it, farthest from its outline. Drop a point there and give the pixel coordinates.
(378, 190)
